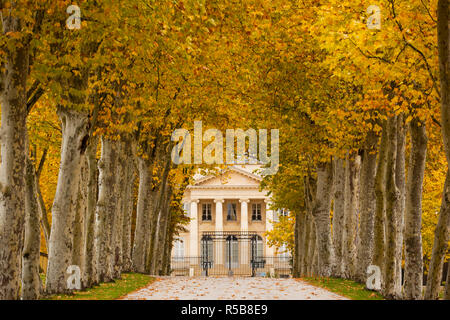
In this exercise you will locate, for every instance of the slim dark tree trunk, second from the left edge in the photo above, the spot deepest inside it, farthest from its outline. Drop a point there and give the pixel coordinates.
(31, 282)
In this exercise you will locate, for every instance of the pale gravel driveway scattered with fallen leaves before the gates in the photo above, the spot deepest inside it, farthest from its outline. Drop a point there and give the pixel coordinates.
(229, 288)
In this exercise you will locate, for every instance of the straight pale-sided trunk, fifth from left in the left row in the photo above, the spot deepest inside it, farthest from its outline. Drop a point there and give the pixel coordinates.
(106, 209)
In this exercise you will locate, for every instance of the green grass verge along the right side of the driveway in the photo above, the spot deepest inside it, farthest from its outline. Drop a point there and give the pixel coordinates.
(347, 288)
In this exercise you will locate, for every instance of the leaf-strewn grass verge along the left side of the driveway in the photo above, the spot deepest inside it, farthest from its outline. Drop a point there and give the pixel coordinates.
(108, 291)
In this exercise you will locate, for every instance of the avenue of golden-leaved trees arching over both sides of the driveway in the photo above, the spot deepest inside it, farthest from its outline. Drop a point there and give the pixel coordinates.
(87, 116)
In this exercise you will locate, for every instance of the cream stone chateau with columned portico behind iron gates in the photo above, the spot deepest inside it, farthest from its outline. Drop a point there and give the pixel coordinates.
(226, 235)
